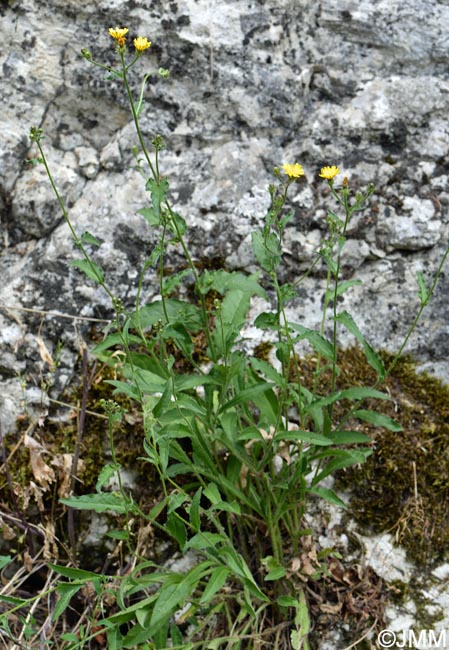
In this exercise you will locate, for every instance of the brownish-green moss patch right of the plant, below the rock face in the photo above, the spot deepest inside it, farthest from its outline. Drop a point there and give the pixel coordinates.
(404, 485)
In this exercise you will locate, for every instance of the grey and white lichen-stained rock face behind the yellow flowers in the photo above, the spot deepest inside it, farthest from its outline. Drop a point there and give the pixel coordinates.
(253, 84)
